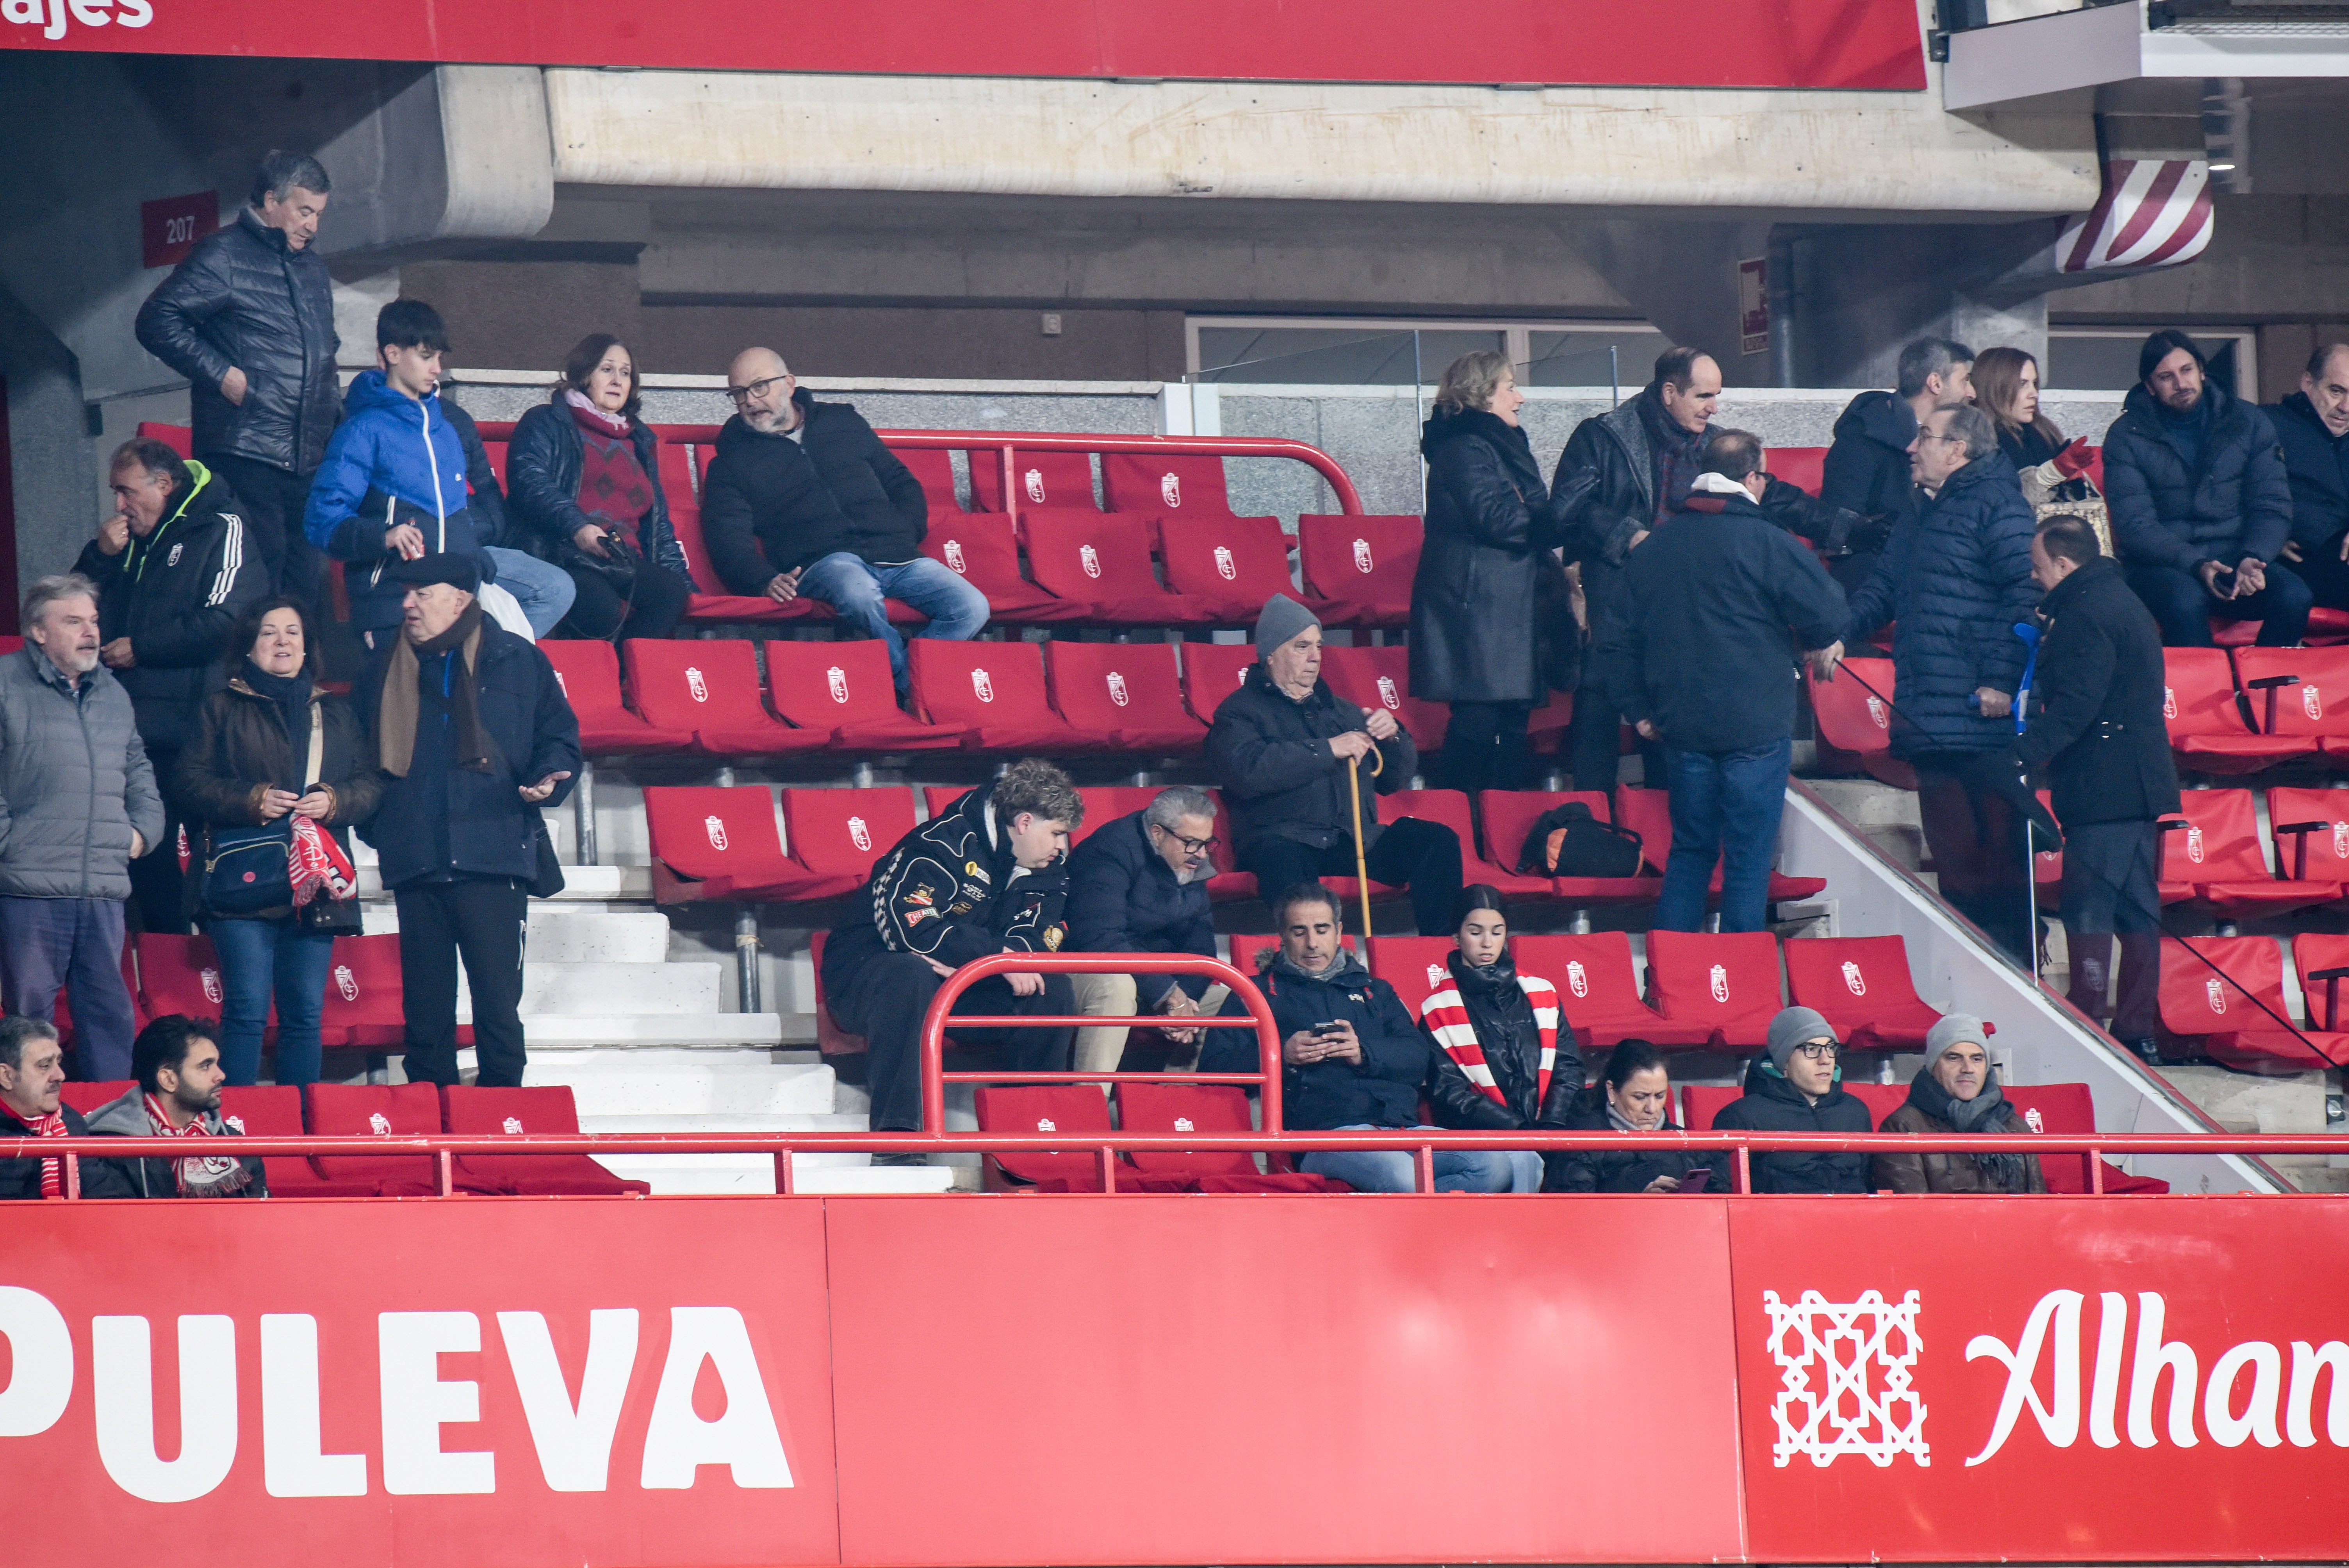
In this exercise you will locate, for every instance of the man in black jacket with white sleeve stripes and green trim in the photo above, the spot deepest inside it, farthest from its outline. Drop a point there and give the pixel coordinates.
(175, 572)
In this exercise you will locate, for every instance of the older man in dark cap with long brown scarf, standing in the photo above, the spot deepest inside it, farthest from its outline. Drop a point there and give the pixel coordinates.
(473, 738)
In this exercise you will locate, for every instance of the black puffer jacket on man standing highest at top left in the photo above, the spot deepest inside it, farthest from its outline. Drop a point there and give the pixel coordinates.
(248, 302)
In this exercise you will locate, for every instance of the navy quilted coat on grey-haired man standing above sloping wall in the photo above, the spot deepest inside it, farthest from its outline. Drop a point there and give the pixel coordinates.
(1958, 579)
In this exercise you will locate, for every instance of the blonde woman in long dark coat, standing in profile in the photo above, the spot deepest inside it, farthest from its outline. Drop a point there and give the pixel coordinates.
(1488, 597)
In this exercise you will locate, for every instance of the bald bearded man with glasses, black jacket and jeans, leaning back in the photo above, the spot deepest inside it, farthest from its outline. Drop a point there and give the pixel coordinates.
(807, 503)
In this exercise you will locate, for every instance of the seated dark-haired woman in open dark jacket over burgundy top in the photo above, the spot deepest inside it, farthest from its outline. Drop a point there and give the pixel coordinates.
(584, 471)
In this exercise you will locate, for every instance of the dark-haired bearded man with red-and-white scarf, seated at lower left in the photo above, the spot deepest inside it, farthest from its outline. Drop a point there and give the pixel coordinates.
(177, 1065)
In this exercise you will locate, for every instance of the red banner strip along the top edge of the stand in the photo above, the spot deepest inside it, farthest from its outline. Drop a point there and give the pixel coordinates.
(1810, 43)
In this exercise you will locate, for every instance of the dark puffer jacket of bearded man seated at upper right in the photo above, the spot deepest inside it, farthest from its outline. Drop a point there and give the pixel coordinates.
(2235, 503)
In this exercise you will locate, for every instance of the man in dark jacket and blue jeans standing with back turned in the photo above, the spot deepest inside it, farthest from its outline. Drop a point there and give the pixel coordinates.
(1700, 651)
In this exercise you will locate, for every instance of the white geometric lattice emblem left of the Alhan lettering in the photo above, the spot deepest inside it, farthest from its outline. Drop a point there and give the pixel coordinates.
(1866, 1351)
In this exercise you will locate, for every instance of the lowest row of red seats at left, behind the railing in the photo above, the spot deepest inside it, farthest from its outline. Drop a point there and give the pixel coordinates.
(283, 1111)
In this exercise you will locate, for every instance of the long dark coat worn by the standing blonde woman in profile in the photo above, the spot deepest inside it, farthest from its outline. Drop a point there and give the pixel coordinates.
(1486, 572)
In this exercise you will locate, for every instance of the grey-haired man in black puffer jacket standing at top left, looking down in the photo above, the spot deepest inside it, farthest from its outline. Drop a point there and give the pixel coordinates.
(250, 323)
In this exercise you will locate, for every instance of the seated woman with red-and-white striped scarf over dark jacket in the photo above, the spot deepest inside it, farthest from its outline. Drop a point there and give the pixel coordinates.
(1505, 1050)
